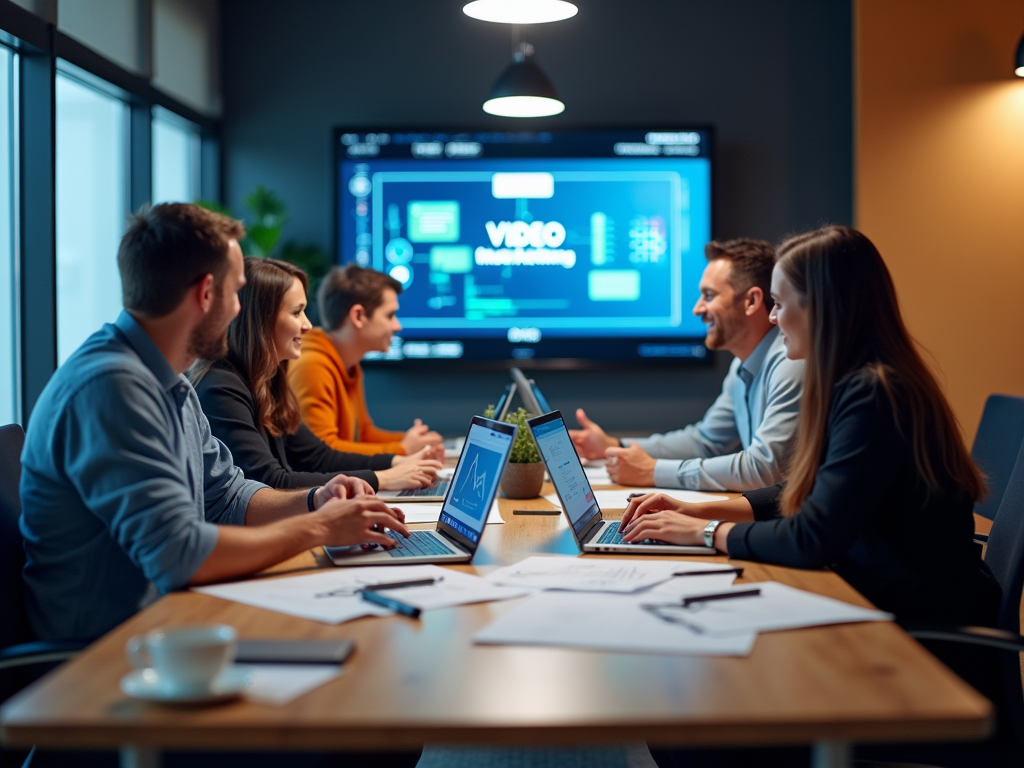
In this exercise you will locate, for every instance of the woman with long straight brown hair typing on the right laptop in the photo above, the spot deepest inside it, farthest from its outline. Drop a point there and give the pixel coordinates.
(880, 487)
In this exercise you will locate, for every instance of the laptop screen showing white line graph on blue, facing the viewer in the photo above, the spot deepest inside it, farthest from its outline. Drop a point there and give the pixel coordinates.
(476, 482)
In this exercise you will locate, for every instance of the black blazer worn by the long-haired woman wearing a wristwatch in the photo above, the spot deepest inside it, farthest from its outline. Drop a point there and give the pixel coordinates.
(871, 519)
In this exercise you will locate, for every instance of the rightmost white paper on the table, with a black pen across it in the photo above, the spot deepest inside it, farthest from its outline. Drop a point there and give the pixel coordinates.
(778, 608)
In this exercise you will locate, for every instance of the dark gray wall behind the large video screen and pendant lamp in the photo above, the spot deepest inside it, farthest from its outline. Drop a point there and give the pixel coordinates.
(774, 76)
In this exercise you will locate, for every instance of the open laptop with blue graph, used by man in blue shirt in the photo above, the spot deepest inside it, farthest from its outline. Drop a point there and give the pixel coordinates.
(464, 515)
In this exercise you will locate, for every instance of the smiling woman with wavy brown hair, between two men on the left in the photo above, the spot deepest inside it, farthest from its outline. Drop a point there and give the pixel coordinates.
(252, 411)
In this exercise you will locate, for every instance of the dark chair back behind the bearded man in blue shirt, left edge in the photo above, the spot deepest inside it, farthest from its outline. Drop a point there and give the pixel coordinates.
(14, 626)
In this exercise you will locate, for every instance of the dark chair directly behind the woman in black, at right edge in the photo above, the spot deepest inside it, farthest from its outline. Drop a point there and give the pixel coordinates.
(1005, 557)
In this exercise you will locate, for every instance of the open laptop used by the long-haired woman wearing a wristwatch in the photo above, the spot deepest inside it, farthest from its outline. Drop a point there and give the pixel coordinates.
(592, 532)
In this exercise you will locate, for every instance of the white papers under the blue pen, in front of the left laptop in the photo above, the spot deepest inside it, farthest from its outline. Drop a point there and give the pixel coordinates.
(331, 596)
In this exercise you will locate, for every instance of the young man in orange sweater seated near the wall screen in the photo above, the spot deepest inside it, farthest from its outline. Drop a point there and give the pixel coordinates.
(358, 312)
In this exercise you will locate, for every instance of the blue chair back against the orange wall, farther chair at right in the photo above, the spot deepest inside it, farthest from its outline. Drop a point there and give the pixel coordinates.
(996, 446)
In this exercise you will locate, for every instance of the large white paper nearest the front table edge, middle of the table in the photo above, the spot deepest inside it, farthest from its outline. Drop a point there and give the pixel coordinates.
(604, 623)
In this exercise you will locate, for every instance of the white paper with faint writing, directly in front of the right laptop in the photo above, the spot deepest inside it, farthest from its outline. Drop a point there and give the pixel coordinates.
(606, 575)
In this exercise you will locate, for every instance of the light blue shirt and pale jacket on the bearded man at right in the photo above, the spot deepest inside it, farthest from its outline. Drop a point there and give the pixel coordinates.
(743, 441)
